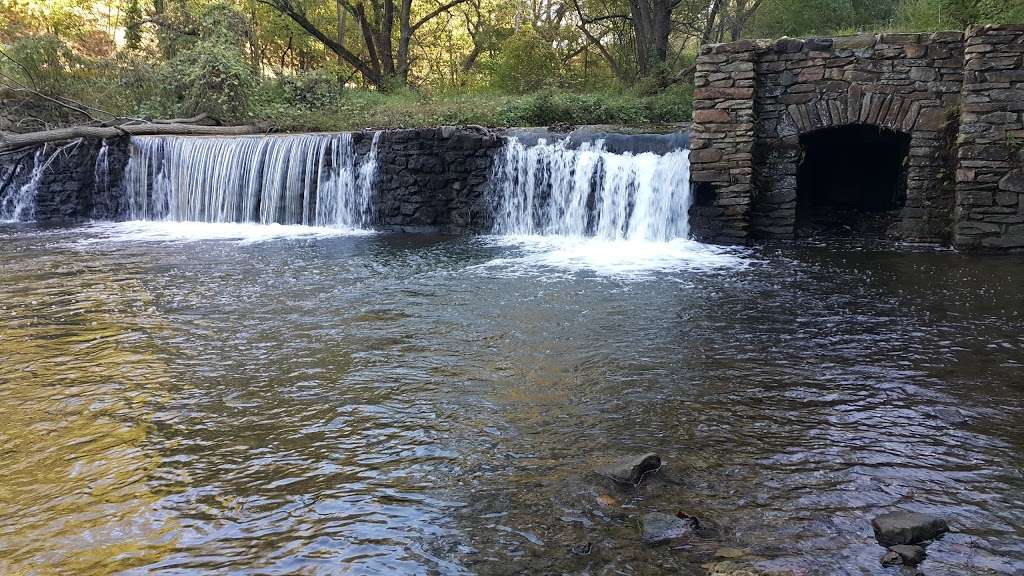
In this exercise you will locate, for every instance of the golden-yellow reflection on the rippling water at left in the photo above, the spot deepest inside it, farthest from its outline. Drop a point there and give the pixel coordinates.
(81, 380)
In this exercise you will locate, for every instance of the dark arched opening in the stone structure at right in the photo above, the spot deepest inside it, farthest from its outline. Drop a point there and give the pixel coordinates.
(851, 182)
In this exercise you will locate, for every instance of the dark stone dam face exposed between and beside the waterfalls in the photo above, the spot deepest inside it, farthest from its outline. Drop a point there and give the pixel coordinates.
(428, 180)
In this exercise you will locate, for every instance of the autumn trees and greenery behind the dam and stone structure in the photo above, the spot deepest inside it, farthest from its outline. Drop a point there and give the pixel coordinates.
(338, 65)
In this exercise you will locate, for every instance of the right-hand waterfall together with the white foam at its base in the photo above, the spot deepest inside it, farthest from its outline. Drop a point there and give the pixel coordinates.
(590, 210)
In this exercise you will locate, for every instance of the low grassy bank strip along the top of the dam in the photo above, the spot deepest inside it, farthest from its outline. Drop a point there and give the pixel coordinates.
(362, 110)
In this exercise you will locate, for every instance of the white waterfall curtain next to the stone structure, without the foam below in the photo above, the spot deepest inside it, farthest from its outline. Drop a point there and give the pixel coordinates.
(553, 190)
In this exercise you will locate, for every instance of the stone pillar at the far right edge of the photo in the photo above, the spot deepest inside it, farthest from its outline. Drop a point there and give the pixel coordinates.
(991, 155)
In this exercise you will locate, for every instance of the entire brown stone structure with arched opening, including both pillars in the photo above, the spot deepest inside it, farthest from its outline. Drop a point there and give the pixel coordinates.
(916, 137)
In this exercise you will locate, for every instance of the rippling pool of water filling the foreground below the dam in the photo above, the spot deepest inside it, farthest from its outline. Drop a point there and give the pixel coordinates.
(292, 401)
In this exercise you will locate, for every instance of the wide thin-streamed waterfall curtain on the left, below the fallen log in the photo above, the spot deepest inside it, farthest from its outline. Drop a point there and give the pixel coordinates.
(312, 180)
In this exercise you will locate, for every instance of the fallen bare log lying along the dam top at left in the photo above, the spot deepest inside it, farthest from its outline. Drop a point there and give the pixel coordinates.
(10, 142)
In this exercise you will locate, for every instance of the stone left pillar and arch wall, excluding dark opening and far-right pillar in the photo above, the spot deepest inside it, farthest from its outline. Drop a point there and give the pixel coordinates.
(757, 103)
